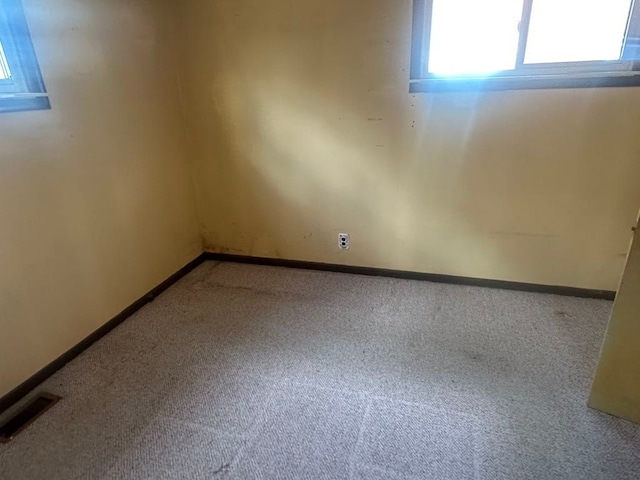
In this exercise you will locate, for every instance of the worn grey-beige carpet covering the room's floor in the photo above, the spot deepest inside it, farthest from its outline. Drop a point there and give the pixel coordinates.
(248, 372)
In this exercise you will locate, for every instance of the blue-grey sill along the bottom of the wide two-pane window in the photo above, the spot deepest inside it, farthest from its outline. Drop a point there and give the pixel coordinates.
(461, 84)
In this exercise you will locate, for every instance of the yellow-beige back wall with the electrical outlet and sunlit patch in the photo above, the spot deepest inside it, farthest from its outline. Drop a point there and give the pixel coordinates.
(303, 128)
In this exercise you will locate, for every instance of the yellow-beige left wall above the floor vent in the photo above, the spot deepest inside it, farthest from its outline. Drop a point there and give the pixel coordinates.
(96, 202)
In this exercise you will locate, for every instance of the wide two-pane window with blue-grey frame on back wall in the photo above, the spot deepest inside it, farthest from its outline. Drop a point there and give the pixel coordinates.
(512, 44)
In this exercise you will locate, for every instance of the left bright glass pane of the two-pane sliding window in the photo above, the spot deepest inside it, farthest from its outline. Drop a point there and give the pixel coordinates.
(472, 36)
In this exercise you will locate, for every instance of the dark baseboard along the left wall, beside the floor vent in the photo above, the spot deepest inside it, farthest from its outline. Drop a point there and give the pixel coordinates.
(31, 383)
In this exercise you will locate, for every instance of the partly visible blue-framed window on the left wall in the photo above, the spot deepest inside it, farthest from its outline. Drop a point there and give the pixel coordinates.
(21, 85)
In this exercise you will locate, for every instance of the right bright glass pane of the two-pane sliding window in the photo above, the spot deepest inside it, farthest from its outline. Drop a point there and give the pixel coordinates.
(576, 30)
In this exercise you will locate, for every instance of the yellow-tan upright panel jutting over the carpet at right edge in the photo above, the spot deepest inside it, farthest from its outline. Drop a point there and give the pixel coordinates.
(616, 389)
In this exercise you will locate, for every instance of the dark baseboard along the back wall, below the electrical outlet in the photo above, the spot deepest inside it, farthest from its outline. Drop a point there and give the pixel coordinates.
(429, 277)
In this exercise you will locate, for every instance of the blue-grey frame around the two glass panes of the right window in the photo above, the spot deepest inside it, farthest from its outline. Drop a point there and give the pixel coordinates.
(609, 73)
